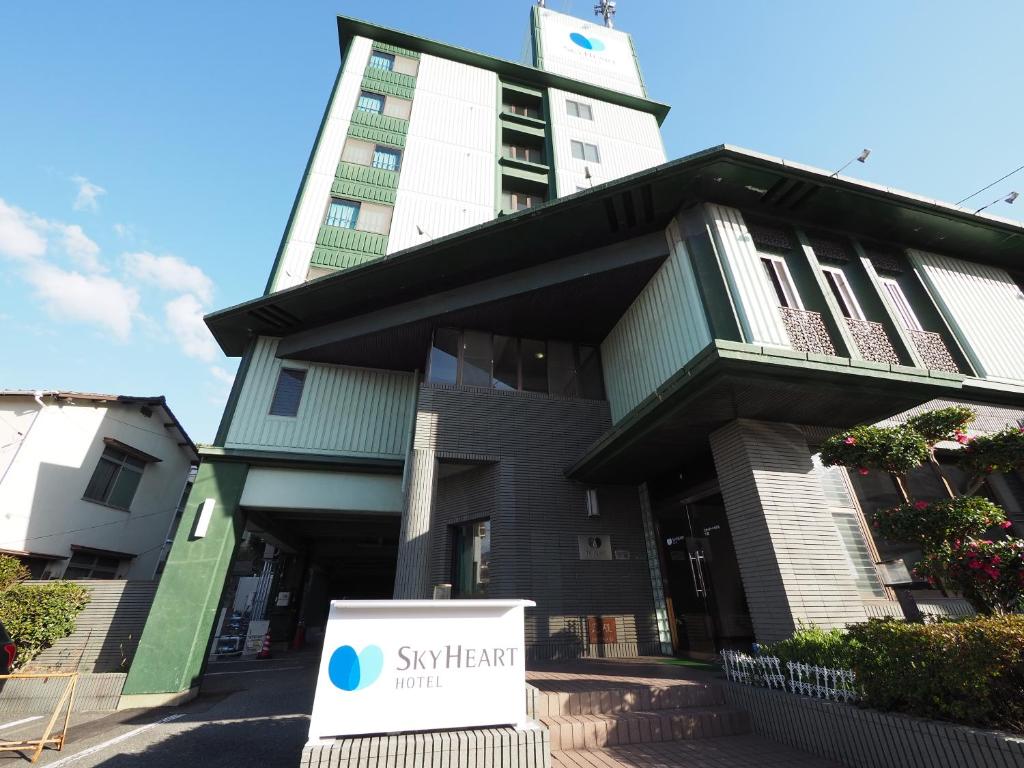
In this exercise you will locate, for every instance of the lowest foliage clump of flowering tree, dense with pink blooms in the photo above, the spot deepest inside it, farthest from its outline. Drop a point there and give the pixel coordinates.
(990, 574)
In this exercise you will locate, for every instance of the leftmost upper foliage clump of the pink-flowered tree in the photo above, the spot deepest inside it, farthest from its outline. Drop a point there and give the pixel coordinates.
(895, 450)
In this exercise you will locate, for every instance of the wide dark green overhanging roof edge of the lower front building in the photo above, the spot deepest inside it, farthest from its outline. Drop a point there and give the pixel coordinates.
(622, 210)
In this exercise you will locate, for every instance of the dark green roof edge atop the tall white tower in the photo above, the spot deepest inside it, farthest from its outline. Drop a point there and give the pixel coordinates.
(350, 28)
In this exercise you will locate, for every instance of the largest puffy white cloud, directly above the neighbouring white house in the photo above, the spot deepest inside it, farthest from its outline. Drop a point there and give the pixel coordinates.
(88, 298)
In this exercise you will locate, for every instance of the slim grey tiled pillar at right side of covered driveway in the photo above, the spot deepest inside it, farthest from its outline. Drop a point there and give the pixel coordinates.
(412, 580)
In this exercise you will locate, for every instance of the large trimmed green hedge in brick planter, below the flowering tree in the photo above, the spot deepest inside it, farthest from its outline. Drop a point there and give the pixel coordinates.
(970, 672)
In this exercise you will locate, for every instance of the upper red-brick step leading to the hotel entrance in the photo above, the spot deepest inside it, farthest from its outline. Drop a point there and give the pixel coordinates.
(615, 701)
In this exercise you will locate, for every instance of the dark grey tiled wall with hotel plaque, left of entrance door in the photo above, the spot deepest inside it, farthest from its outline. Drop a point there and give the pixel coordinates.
(524, 443)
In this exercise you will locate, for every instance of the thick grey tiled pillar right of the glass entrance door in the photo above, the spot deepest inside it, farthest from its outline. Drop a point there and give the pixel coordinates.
(793, 563)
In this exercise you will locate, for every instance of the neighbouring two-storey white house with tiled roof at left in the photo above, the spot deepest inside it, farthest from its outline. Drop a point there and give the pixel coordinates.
(90, 484)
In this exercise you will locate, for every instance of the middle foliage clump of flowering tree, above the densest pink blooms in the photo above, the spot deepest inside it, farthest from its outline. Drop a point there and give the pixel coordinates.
(940, 523)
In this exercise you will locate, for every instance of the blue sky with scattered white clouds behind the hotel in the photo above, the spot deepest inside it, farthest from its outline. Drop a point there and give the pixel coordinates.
(150, 153)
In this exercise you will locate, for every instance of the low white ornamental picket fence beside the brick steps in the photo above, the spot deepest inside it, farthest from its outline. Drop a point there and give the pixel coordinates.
(804, 679)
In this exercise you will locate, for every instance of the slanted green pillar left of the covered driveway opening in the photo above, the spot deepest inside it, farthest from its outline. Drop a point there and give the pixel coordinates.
(174, 649)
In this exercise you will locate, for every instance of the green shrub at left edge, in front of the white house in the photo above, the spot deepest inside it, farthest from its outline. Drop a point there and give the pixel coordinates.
(36, 616)
